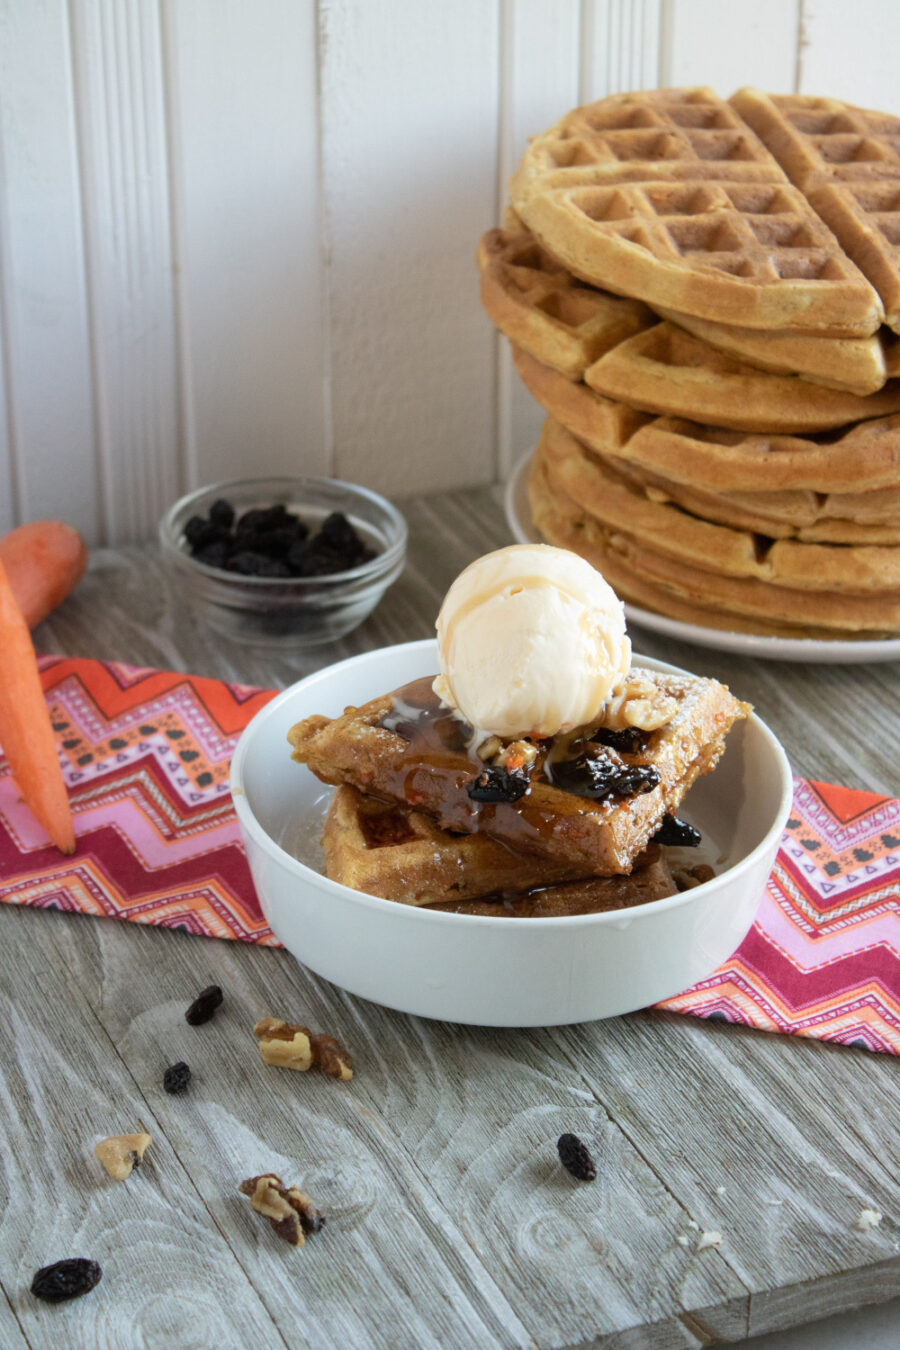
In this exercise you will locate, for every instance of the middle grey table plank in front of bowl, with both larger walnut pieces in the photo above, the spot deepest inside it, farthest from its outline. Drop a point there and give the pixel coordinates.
(439, 1158)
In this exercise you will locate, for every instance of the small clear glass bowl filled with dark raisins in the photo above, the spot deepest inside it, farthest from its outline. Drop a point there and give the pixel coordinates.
(284, 562)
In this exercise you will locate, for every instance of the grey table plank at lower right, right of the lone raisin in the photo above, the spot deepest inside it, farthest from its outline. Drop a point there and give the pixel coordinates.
(763, 1143)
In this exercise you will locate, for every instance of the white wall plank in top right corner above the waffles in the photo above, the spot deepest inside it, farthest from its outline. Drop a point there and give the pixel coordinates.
(851, 52)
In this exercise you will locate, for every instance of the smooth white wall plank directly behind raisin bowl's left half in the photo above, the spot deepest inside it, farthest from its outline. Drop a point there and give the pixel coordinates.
(245, 156)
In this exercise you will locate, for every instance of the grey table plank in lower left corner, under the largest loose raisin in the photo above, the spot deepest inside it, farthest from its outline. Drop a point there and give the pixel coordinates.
(64, 1089)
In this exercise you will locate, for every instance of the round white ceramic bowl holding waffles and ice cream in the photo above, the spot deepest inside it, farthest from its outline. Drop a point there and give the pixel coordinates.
(496, 971)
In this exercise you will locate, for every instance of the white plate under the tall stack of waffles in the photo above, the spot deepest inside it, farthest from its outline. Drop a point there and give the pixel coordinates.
(519, 516)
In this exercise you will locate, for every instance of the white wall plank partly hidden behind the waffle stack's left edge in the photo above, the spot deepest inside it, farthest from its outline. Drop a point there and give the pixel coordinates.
(539, 82)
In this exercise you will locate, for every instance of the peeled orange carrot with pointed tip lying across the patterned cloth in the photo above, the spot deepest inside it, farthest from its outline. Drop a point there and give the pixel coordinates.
(26, 734)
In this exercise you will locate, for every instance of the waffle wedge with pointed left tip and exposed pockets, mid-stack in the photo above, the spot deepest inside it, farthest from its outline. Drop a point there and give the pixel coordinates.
(666, 371)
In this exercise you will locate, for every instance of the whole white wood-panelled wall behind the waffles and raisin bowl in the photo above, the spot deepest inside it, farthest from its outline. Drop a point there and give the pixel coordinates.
(237, 237)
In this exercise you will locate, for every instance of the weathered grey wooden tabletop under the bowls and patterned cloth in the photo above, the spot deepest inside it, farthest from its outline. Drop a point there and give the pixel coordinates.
(450, 1221)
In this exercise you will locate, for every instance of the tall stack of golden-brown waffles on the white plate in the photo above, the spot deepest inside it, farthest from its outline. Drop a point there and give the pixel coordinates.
(705, 298)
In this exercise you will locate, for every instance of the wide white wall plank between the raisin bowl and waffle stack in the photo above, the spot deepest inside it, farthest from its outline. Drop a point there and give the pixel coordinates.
(410, 155)
